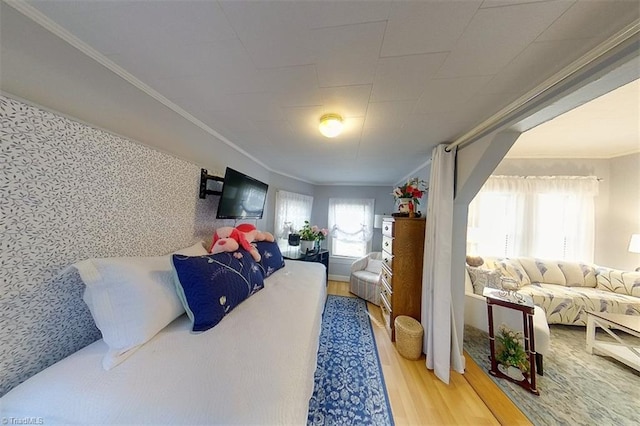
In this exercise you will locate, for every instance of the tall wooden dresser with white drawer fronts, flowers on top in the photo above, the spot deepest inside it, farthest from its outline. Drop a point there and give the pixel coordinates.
(402, 257)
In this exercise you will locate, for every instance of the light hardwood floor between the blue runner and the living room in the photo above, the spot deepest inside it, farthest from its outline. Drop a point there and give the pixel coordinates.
(418, 397)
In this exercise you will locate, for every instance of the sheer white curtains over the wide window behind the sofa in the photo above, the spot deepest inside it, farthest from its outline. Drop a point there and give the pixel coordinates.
(550, 217)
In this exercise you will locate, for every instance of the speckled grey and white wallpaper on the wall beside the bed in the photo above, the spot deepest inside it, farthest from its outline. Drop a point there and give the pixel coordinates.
(70, 192)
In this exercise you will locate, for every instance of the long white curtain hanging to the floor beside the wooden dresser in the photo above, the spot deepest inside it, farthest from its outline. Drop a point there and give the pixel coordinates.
(440, 318)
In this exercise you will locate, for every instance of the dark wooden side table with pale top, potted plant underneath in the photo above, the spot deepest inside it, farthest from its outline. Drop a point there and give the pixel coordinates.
(524, 304)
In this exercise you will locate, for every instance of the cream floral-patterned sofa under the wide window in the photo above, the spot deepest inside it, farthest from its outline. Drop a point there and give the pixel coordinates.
(566, 290)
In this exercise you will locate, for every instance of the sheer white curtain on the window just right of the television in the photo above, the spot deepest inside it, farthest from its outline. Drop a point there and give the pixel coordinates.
(292, 210)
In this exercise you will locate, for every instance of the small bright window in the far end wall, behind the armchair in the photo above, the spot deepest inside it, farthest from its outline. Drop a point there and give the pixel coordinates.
(351, 226)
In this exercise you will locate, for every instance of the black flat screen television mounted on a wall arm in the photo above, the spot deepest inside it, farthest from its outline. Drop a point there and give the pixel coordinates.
(242, 196)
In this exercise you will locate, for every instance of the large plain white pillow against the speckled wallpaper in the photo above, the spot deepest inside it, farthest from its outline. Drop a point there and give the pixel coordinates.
(131, 299)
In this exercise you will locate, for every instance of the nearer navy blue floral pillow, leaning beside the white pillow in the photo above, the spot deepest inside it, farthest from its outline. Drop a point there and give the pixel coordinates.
(211, 286)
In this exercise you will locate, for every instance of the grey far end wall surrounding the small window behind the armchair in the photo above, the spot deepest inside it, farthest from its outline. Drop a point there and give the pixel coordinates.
(339, 268)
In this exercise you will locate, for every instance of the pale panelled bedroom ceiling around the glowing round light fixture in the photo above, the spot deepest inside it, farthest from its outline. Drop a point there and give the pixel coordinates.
(405, 76)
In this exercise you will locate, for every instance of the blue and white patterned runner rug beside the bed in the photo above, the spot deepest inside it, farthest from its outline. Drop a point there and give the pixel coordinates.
(349, 386)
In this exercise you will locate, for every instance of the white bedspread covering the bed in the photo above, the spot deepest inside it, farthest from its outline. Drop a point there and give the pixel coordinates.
(255, 367)
